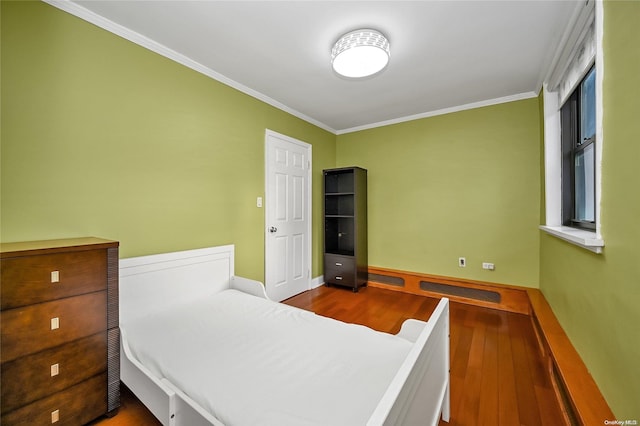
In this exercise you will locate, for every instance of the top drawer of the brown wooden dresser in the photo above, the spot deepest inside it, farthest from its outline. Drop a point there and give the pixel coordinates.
(34, 279)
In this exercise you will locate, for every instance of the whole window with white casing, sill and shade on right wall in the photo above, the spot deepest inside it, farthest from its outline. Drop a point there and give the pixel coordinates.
(573, 136)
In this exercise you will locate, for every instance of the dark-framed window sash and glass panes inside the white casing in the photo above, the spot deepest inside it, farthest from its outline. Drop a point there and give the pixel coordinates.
(578, 134)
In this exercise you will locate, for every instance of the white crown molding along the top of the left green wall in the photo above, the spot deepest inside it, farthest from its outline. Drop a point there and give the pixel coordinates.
(137, 38)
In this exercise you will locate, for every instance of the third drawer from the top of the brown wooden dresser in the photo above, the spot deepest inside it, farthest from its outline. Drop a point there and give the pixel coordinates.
(36, 376)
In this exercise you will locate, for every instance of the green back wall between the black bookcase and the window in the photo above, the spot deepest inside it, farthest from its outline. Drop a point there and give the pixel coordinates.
(462, 184)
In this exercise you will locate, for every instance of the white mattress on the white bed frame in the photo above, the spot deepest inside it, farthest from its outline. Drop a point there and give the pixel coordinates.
(250, 361)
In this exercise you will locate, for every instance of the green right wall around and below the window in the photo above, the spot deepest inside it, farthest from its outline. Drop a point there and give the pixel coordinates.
(597, 297)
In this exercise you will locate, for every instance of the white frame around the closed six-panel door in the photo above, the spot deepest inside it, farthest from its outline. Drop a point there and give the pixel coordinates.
(267, 199)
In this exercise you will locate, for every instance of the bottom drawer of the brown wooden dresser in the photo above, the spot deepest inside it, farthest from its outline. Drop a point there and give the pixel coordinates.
(76, 405)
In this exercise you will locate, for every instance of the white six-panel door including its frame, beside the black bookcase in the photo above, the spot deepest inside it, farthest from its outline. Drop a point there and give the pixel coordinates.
(288, 216)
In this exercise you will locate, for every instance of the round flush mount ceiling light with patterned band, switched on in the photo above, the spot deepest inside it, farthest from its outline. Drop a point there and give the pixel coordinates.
(360, 53)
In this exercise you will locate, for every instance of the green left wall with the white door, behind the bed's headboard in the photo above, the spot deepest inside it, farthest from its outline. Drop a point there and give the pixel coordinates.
(103, 137)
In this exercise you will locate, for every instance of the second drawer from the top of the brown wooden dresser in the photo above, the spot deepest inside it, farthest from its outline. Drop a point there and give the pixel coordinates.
(31, 329)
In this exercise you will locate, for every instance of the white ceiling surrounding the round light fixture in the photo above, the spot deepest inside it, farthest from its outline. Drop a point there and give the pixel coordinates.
(445, 55)
